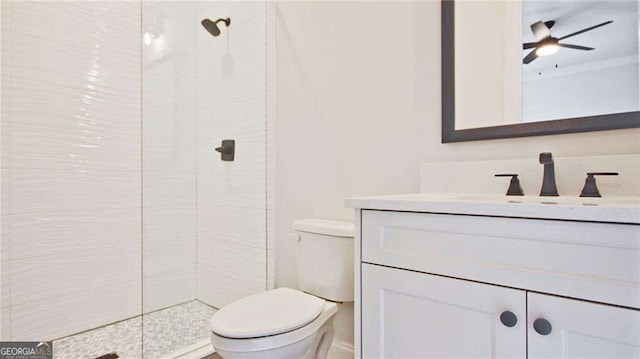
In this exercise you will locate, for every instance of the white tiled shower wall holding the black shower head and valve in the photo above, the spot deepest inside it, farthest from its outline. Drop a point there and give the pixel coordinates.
(234, 79)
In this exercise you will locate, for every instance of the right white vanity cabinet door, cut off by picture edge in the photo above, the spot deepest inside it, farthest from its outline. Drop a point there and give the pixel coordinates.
(578, 329)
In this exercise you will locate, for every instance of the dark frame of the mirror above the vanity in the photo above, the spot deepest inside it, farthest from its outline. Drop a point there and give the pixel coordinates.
(553, 127)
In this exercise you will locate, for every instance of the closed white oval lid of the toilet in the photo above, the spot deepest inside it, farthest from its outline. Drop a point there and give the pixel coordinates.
(273, 312)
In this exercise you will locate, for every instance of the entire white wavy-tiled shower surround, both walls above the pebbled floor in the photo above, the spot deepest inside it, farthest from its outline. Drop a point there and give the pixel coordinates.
(72, 135)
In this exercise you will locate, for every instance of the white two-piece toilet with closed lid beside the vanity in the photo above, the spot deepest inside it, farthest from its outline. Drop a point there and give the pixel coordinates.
(286, 323)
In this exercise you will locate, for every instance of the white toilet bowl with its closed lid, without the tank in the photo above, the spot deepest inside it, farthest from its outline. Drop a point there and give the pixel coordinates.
(270, 335)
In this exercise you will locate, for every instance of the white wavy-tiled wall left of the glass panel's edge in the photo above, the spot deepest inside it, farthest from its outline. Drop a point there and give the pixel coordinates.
(71, 166)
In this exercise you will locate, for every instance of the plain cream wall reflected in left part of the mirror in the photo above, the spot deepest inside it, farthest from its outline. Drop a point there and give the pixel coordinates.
(488, 63)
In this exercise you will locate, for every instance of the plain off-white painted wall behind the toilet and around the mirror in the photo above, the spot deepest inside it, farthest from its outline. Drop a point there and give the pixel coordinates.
(358, 106)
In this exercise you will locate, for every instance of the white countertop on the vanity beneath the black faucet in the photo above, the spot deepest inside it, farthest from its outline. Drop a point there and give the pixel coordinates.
(612, 210)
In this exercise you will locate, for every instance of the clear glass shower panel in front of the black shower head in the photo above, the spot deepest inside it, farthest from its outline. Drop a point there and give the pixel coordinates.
(204, 219)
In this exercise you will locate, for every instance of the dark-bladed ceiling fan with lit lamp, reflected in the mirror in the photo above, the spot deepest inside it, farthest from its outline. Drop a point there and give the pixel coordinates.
(549, 45)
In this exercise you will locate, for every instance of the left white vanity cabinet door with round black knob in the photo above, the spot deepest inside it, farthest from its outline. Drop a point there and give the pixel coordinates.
(408, 314)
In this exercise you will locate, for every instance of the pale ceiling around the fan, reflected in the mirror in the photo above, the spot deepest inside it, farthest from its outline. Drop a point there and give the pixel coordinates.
(614, 41)
